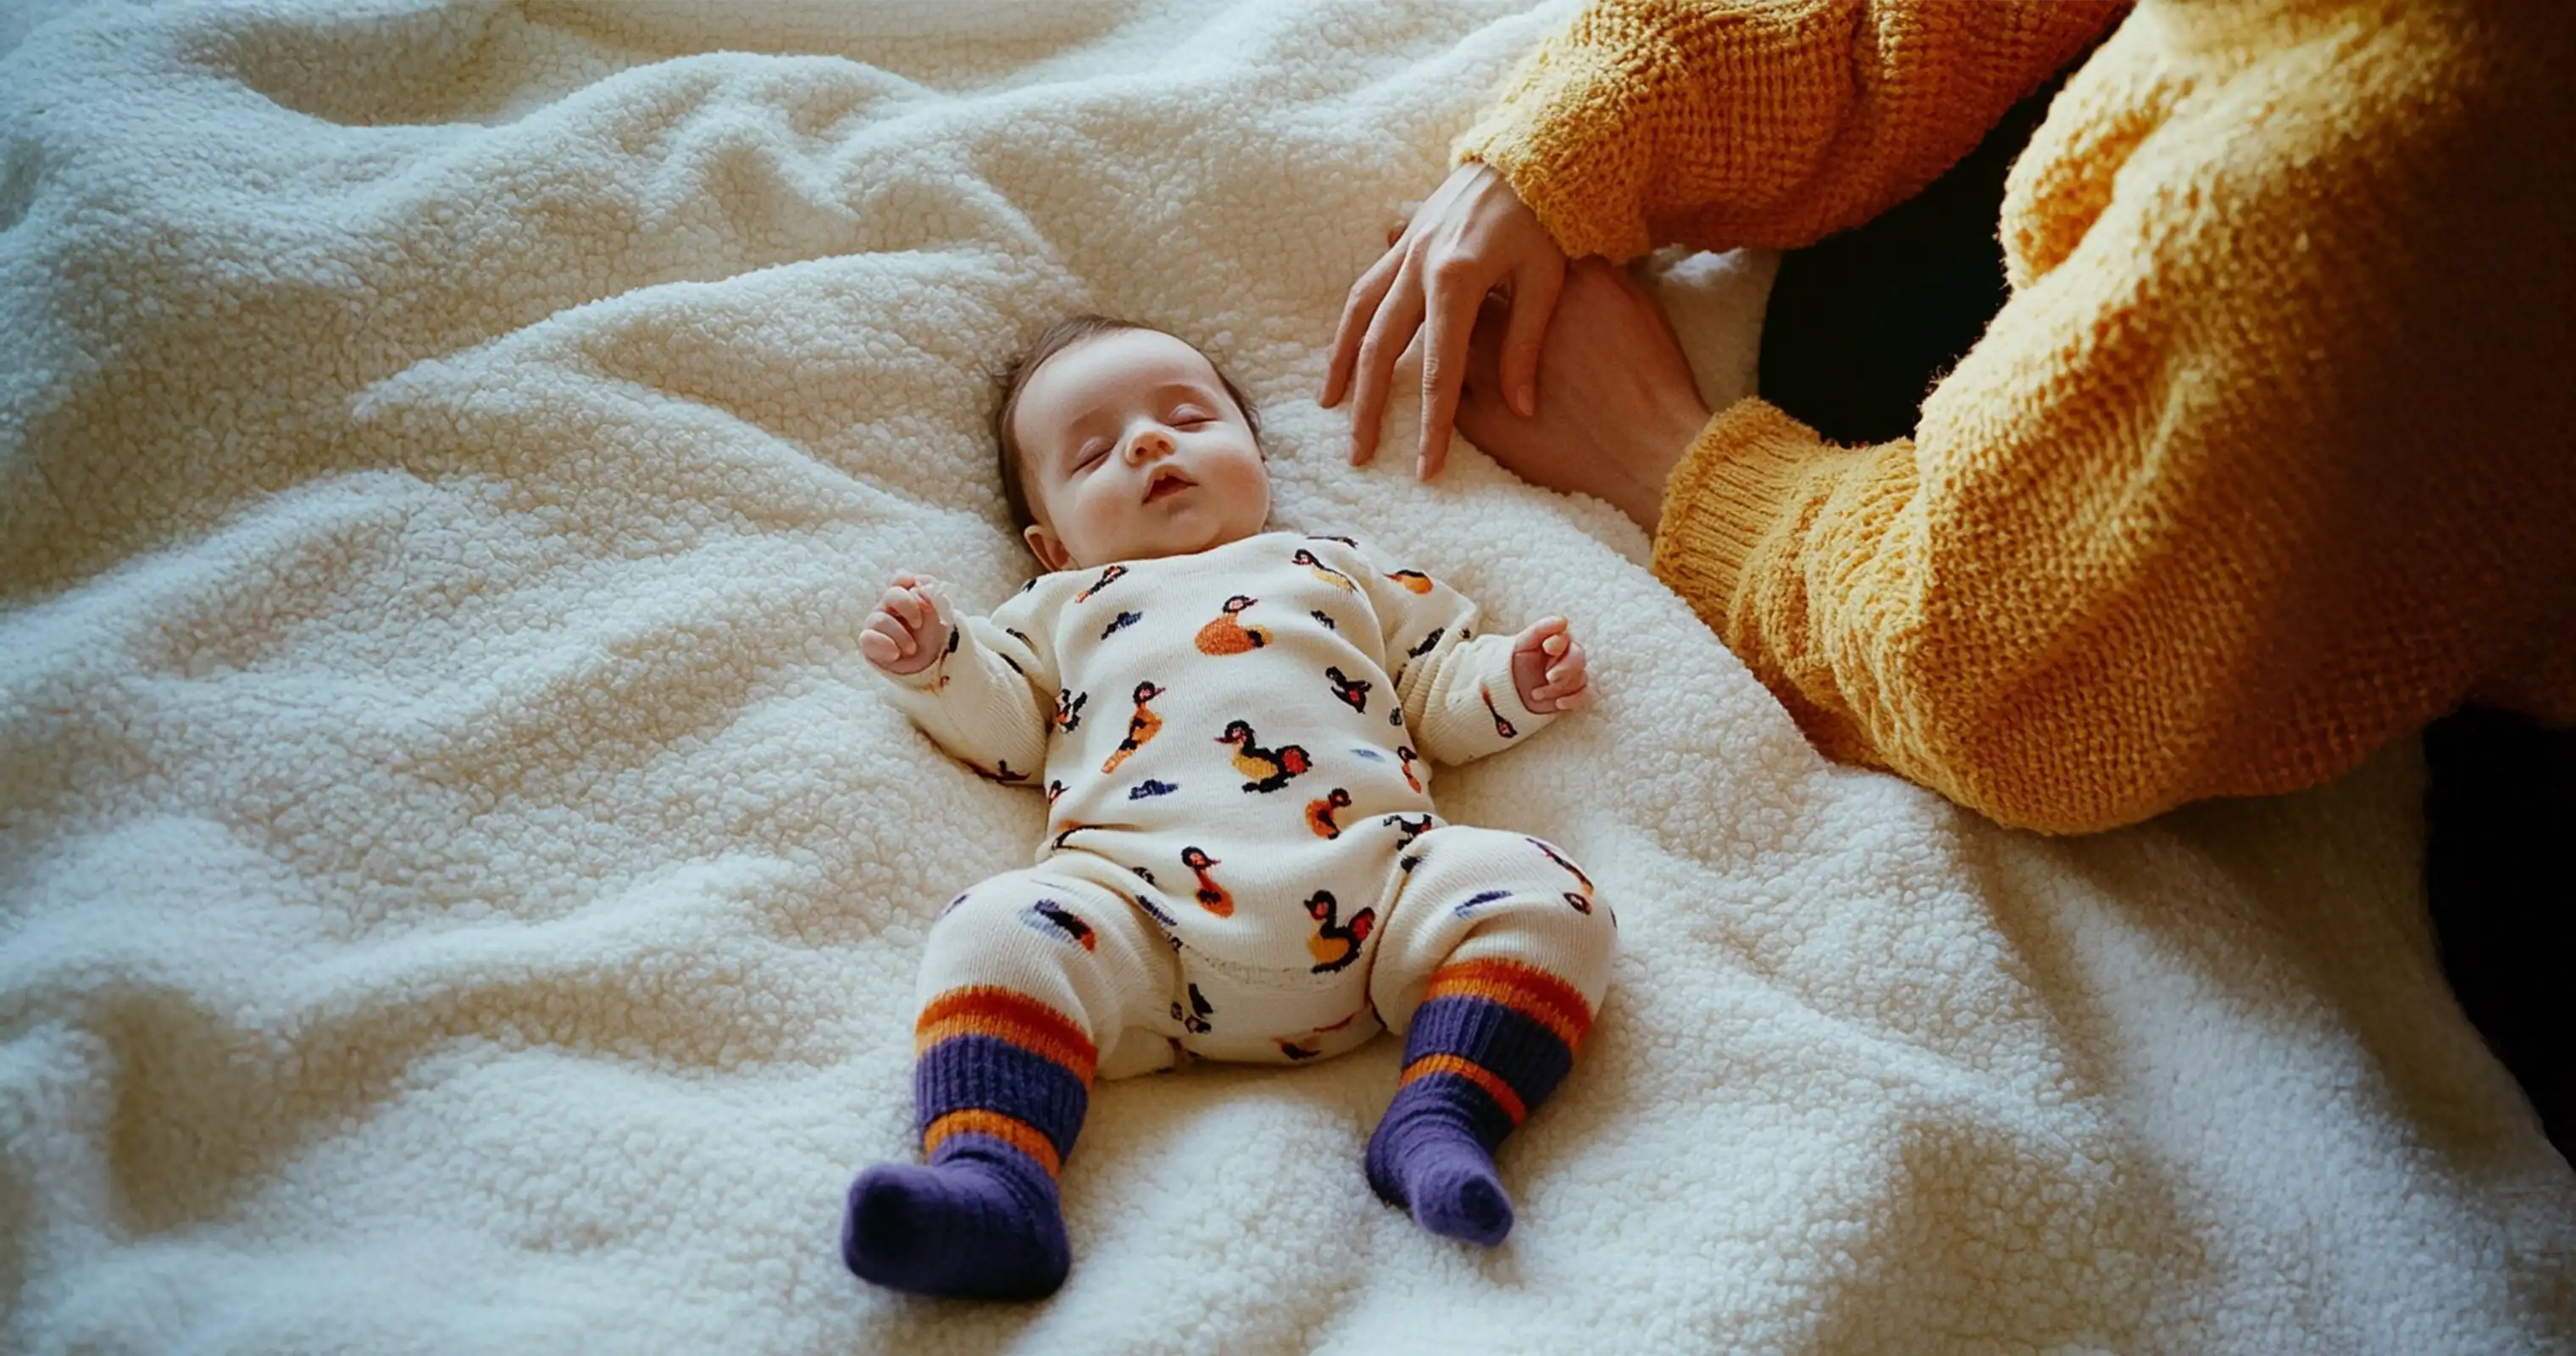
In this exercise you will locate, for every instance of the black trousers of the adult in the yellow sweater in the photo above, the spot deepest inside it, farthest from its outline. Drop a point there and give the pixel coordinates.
(1856, 334)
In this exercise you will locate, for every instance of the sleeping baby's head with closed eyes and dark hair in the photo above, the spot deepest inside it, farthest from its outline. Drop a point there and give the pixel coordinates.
(1132, 450)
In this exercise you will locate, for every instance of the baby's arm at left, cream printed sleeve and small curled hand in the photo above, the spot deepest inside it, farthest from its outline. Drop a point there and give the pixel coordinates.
(972, 687)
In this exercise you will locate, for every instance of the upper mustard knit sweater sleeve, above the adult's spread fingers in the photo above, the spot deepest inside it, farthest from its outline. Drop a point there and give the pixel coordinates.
(1761, 122)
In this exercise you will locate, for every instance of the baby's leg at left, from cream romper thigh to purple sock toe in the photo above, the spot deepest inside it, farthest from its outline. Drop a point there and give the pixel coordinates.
(1029, 989)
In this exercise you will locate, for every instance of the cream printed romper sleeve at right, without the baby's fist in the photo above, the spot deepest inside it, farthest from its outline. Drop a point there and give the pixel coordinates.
(1457, 687)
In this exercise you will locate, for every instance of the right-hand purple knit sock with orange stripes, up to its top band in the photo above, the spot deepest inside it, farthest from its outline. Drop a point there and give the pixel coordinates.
(1488, 1045)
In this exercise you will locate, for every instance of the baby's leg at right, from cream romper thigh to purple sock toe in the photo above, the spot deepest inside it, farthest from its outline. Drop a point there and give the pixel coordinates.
(1493, 963)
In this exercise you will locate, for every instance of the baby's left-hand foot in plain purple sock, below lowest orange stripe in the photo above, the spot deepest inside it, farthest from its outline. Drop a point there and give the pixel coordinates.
(965, 1228)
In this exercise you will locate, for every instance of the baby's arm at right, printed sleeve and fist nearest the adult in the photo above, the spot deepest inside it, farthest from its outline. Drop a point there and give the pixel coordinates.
(1470, 695)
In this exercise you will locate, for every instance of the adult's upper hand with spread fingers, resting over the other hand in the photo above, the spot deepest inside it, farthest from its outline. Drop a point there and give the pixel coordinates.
(1472, 236)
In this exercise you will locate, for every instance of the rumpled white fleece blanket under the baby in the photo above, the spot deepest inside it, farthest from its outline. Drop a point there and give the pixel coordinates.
(462, 893)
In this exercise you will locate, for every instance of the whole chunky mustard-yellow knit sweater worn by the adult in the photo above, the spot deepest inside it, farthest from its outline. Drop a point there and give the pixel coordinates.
(2266, 460)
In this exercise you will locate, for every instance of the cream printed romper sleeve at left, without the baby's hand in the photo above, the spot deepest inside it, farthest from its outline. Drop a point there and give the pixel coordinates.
(990, 700)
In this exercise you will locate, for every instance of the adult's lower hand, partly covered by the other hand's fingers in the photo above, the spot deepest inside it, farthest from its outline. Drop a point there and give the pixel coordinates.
(1616, 401)
